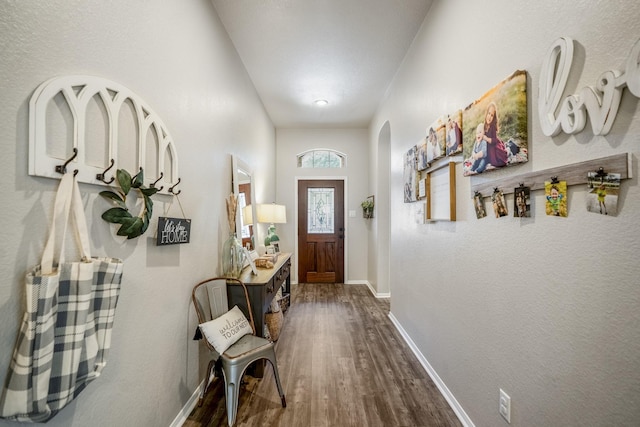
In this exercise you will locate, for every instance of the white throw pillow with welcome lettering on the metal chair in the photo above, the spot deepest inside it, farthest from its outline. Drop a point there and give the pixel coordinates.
(226, 330)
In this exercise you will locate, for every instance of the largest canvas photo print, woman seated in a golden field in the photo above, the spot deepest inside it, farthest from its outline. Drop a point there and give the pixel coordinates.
(495, 127)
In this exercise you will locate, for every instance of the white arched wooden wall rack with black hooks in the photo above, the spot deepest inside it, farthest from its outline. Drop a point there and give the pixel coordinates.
(95, 126)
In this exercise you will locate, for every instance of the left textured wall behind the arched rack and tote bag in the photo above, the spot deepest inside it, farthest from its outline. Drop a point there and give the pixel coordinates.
(178, 58)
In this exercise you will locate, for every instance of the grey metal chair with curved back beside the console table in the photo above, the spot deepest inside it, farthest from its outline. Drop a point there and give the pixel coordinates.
(210, 301)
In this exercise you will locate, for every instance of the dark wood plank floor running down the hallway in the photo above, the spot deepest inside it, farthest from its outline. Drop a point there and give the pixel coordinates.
(342, 363)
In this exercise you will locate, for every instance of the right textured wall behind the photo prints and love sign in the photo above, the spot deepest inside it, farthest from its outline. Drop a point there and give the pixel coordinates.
(545, 308)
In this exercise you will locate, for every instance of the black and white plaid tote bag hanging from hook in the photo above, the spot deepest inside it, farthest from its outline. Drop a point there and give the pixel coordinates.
(65, 333)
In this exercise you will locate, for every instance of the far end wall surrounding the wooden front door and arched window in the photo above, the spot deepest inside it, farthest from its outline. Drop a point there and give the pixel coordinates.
(353, 143)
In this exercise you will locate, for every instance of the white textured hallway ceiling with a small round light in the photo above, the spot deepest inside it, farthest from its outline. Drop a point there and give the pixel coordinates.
(344, 51)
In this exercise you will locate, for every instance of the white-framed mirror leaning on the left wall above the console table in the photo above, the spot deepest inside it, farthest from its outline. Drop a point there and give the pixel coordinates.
(243, 189)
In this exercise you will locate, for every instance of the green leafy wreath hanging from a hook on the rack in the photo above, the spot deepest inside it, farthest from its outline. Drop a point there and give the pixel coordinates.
(131, 226)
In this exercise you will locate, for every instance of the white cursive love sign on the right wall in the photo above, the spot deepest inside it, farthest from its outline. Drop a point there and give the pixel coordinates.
(599, 103)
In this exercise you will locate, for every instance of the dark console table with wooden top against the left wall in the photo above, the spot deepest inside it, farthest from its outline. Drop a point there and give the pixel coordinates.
(262, 288)
